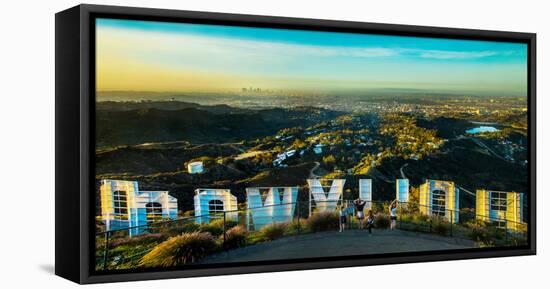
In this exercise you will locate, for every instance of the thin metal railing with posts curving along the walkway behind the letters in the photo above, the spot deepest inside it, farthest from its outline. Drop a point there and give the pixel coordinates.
(111, 245)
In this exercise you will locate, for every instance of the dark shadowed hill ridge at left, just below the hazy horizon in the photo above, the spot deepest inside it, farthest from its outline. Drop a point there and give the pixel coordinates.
(196, 124)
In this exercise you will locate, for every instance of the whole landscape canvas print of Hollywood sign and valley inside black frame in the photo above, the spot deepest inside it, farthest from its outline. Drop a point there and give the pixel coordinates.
(227, 145)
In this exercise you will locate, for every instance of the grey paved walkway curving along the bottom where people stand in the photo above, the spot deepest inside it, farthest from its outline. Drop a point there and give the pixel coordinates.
(327, 244)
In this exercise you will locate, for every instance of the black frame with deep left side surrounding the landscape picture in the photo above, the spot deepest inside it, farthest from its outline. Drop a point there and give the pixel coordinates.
(75, 108)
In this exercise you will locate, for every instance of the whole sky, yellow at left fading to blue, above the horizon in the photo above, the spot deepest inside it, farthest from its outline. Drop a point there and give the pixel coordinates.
(179, 57)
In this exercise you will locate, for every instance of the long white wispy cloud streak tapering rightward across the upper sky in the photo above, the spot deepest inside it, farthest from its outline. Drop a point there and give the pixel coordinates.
(196, 46)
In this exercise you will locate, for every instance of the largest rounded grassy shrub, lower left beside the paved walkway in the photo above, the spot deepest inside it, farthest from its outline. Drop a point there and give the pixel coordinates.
(184, 249)
